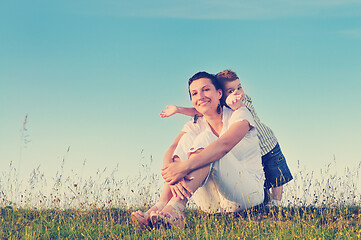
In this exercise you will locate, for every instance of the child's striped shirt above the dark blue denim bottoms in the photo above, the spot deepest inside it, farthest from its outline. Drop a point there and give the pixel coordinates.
(267, 139)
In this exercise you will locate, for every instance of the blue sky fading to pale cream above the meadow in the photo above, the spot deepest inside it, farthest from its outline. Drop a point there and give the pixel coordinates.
(94, 75)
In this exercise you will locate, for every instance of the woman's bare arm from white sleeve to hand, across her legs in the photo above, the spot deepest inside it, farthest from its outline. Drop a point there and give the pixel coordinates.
(216, 150)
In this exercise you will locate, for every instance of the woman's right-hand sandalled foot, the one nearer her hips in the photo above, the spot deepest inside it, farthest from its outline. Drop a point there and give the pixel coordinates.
(167, 220)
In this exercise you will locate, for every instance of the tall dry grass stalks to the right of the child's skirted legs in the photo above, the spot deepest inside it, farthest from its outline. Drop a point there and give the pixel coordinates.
(325, 187)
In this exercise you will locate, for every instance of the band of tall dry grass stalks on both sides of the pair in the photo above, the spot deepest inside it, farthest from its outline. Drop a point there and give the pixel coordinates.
(107, 189)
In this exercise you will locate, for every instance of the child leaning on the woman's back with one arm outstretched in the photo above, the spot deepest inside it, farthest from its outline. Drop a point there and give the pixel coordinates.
(276, 170)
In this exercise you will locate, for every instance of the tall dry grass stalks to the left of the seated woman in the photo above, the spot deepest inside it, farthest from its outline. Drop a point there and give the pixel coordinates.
(70, 190)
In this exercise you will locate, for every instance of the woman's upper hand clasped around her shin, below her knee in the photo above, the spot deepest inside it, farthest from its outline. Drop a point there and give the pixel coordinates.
(174, 172)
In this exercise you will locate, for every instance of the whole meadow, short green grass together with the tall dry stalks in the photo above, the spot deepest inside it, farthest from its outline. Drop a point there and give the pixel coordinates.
(316, 205)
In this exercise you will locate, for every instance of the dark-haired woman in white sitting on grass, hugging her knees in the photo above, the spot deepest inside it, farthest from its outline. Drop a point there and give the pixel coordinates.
(218, 156)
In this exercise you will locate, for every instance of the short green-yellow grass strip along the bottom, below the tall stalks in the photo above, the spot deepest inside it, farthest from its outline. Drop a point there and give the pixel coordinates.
(273, 223)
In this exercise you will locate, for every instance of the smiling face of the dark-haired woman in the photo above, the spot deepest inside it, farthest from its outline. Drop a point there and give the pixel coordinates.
(205, 97)
